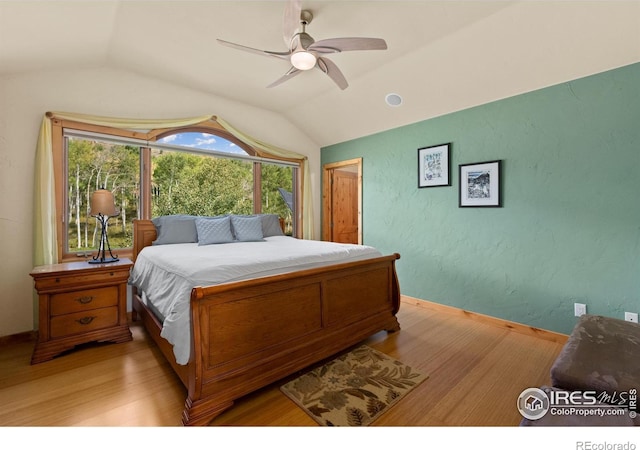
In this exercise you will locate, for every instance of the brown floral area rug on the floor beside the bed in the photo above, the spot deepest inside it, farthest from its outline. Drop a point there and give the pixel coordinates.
(354, 389)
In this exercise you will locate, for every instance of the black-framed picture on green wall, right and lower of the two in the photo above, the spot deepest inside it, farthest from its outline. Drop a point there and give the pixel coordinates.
(480, 184)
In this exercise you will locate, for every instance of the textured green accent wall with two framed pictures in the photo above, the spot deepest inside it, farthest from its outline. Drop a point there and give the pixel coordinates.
(569, 228)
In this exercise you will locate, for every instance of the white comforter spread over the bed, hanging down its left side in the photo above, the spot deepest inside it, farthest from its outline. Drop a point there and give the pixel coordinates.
(167, 273)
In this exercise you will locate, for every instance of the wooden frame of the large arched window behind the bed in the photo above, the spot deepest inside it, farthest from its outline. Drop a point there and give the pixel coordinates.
(58, 127)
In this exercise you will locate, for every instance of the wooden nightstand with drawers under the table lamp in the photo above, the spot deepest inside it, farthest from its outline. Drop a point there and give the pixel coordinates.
(78, 303)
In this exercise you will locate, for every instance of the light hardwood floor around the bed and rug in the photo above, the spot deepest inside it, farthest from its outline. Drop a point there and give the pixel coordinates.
(476, 371)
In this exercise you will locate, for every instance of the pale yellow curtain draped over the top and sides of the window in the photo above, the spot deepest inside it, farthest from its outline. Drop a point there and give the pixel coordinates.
(45, 220)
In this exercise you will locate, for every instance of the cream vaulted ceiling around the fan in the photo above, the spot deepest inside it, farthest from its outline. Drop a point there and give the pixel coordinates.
(442, 56)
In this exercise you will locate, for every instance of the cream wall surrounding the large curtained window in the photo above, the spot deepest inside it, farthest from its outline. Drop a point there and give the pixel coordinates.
(23, 101)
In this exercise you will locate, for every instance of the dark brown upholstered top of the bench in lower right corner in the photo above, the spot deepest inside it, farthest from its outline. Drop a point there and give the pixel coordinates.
(601, 354)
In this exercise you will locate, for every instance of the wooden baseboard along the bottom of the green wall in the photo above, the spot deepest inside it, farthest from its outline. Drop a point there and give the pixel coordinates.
(502, 323)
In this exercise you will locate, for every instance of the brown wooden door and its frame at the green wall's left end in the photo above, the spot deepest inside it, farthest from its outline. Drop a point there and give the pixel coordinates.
(342, 193)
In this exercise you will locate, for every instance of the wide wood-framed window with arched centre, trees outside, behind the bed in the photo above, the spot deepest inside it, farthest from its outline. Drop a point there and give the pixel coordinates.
(197, 170)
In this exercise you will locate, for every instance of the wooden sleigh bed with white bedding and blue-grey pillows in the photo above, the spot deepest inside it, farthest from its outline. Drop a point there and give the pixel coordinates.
(228, 335)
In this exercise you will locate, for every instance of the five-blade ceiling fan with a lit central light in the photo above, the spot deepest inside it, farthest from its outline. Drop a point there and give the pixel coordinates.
(305, 53)
